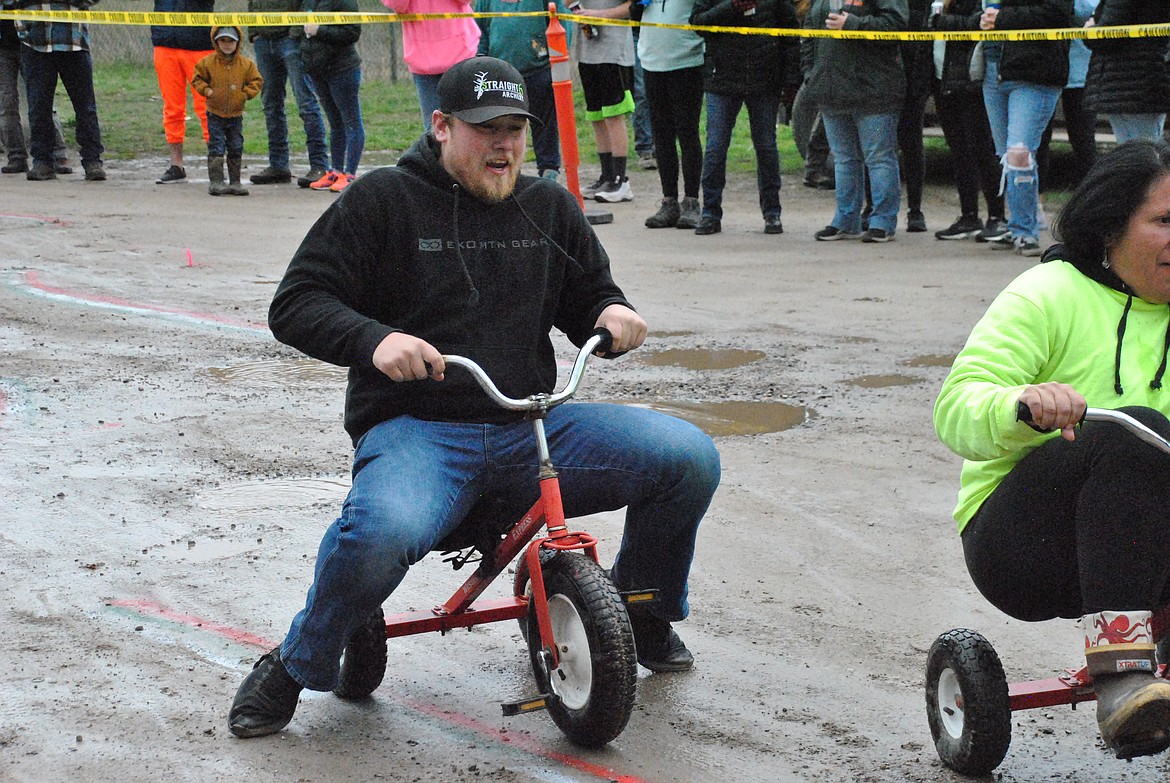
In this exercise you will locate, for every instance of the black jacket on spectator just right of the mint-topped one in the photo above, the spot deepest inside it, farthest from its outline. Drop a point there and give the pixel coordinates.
(748, 65)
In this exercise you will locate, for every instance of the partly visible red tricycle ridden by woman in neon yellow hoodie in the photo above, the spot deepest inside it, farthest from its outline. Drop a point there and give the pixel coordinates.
(969, 700)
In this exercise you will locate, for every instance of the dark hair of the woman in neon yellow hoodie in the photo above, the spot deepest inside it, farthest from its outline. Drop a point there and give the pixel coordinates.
(1100, 209)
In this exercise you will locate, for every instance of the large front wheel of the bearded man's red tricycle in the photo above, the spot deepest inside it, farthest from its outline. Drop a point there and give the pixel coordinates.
(595, 684)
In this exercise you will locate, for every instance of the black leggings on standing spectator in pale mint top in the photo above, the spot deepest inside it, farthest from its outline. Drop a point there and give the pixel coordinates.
(676, 99)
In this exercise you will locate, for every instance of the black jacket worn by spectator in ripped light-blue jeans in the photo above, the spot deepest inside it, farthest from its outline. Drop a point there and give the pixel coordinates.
(1040, 63)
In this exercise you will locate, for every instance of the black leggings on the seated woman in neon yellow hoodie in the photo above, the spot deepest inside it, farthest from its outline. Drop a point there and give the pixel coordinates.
(1078, 527)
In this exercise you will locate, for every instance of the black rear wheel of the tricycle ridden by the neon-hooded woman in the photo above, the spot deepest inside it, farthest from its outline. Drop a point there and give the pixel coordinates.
(968, 706)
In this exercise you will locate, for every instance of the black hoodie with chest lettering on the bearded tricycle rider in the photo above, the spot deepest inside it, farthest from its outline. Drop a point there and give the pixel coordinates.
(407, 249)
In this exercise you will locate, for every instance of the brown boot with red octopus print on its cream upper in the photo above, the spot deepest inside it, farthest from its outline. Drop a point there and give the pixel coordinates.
(1133, 704)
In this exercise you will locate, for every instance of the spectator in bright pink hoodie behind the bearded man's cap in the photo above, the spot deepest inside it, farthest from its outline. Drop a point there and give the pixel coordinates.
(432, 46)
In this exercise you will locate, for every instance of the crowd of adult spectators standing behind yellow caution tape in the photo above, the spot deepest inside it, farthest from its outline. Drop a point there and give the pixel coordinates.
(856, 107)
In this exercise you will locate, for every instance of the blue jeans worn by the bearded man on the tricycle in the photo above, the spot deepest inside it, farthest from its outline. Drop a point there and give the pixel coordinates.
(415, 482)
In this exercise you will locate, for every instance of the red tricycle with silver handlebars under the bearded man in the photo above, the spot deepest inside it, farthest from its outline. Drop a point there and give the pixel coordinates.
(575, 621)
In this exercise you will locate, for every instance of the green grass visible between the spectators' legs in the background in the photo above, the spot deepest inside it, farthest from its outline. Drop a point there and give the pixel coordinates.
(132, 114)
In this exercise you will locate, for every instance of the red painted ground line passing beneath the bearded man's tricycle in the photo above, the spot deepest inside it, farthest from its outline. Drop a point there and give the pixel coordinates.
(464, 722)
